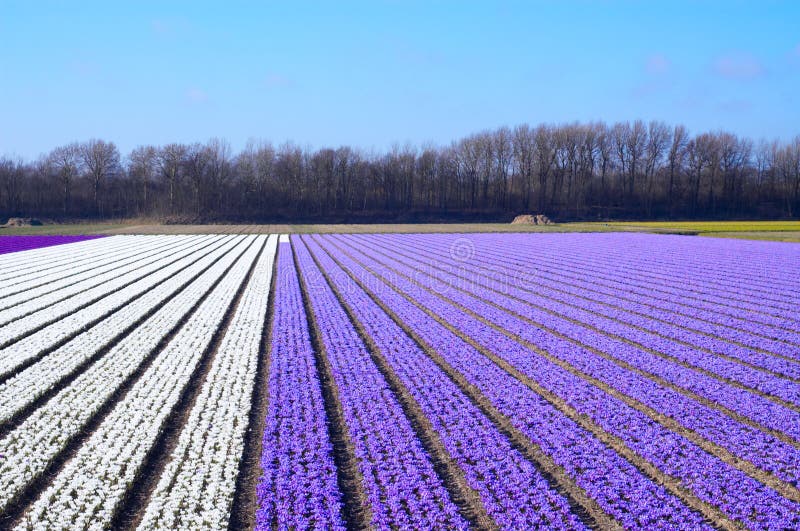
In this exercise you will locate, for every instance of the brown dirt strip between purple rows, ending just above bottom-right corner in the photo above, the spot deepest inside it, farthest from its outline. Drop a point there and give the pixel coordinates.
(782, 487)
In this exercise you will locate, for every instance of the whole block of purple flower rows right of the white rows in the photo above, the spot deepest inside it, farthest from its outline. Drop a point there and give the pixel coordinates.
(545, 391)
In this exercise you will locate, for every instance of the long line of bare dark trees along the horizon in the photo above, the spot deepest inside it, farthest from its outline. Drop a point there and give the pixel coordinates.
(573, 171)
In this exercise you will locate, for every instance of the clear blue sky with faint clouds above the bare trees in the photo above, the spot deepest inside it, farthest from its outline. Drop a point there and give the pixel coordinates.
(373, 73)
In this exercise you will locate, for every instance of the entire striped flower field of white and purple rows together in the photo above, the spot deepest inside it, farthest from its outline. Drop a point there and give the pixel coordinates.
(450, 381)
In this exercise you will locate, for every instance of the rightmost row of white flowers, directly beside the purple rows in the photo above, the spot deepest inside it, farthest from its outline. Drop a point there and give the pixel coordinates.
(196, 489)
